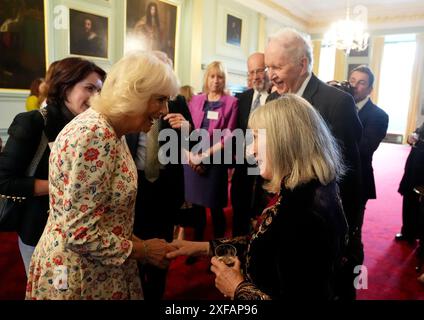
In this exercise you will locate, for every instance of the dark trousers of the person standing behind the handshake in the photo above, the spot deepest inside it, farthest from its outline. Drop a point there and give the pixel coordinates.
(155, 214)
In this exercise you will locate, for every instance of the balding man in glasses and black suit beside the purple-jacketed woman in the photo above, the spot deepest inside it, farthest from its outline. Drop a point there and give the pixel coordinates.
(242, 183)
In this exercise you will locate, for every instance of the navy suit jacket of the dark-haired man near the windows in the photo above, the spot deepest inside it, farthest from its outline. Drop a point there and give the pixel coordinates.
(375, 122)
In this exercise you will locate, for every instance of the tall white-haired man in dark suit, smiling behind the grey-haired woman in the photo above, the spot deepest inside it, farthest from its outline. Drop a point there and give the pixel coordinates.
(288, 58)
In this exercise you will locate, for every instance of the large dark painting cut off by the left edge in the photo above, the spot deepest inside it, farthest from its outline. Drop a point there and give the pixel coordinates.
(22, 43)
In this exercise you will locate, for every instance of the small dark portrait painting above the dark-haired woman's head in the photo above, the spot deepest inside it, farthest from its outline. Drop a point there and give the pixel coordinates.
(88, 34)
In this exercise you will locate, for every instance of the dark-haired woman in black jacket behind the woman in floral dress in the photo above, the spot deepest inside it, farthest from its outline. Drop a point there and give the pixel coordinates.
(72, 85)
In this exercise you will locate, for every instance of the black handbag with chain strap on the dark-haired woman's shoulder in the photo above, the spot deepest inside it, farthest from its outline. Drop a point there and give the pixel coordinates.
(10, 206)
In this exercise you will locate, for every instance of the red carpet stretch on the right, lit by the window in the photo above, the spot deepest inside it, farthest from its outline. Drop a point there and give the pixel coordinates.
(390, 264)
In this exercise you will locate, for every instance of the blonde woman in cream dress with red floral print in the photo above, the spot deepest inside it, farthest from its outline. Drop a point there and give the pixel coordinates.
(87, 250)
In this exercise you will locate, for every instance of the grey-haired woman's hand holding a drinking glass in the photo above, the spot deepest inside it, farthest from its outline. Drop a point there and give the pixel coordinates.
(227, 278)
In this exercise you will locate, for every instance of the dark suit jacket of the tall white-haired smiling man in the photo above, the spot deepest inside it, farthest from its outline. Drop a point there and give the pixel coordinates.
(339, 112)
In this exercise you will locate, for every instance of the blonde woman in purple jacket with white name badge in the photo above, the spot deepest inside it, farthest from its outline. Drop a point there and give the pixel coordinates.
(206, 184)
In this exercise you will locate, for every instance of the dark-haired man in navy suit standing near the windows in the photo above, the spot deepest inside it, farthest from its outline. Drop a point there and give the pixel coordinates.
(374, 122)
